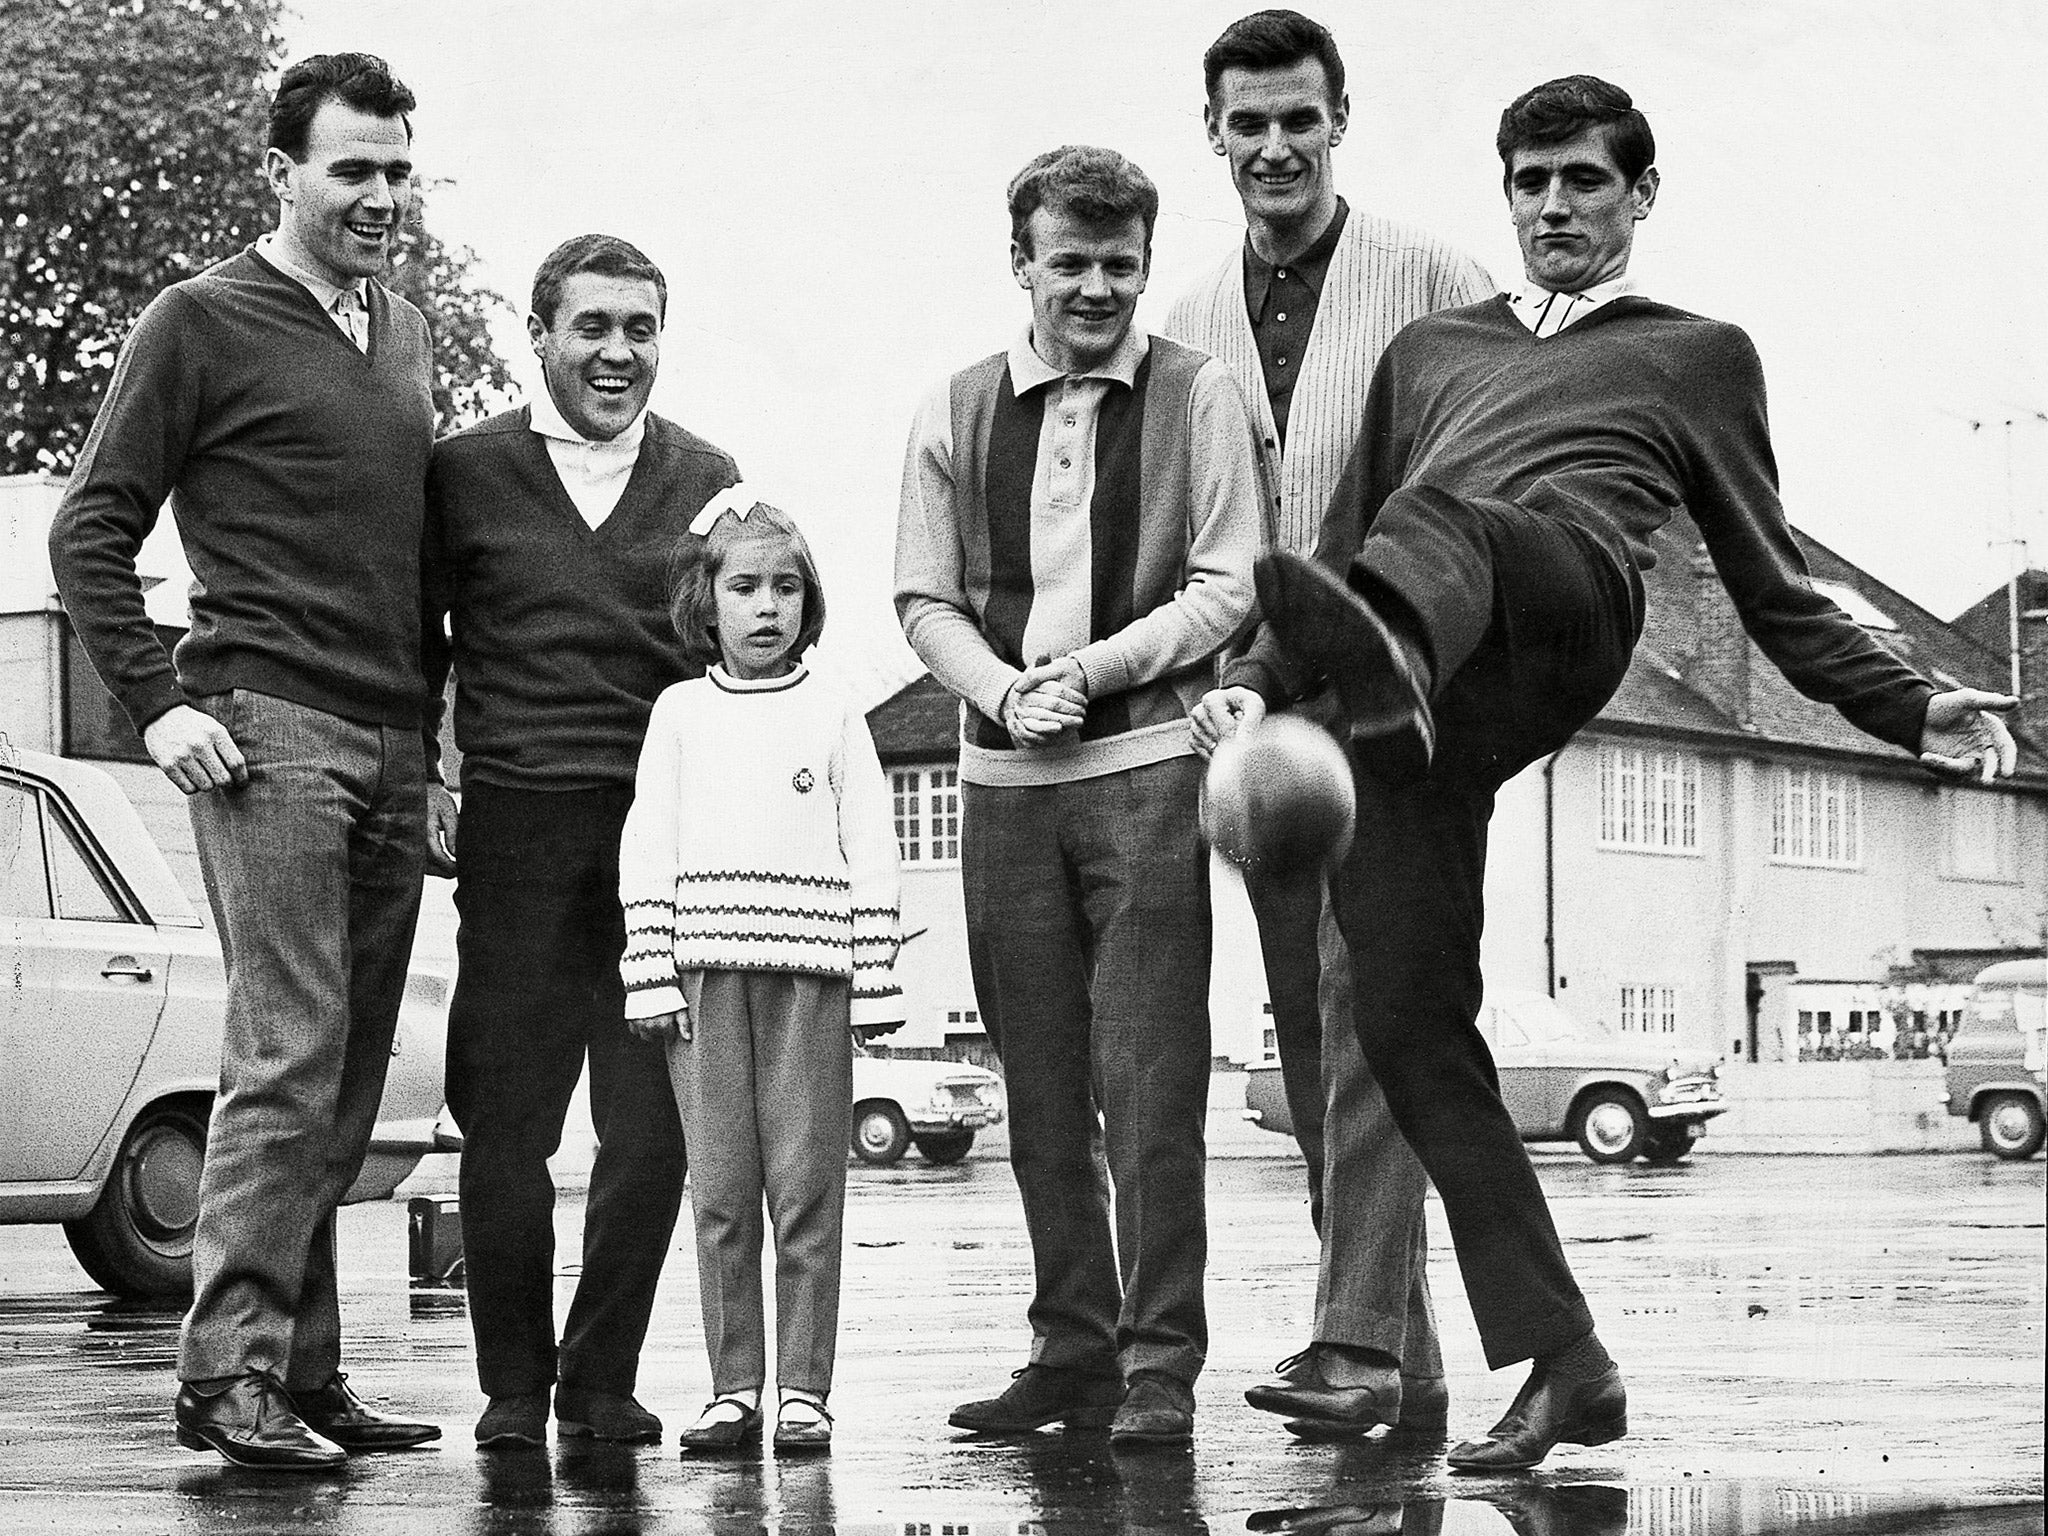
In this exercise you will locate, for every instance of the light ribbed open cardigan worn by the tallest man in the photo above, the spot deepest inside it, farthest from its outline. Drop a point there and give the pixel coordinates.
(1381, 278)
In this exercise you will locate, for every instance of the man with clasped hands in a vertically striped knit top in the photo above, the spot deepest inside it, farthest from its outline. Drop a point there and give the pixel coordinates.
(1074, 548)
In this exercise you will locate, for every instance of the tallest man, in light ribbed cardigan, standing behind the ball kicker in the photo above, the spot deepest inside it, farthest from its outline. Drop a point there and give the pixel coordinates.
(1302, 314)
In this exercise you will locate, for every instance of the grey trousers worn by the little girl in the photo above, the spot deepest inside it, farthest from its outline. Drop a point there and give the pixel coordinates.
(767, 1095)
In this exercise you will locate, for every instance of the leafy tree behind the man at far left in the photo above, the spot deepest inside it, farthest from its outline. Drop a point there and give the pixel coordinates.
(130, 138)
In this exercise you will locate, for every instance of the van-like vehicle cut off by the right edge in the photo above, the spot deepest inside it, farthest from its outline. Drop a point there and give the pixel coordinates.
(1996, 1058)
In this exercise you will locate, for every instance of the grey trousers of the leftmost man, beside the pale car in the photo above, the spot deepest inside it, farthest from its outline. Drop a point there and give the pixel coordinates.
(314, 876)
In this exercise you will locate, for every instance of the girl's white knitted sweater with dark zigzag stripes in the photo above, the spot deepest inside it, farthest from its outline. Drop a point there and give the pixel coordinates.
(761, 839)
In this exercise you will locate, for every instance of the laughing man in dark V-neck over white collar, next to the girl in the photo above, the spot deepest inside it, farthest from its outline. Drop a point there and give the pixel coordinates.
(548, 552)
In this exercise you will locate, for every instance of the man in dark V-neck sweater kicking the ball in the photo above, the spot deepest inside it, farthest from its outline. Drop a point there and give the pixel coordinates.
(1474, 599)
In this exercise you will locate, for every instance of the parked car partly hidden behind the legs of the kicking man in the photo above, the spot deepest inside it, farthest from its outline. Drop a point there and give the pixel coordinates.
(1619, 1097)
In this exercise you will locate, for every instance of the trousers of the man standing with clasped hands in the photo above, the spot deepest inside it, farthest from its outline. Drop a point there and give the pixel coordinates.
(1089, 933)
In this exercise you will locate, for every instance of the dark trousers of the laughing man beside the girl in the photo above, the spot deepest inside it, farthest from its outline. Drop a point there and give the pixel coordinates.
(540, 994)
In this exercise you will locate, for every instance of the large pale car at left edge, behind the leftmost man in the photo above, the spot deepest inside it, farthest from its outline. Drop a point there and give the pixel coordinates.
(112, 1035)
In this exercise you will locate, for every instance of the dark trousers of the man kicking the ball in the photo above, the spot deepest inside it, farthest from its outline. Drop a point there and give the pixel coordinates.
(1531, 624)
